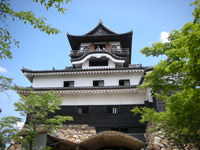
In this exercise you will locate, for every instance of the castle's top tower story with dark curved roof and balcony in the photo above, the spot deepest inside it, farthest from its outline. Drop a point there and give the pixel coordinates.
(101, 48)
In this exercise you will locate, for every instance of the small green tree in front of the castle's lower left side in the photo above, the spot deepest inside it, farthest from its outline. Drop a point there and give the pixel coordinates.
(37, 109)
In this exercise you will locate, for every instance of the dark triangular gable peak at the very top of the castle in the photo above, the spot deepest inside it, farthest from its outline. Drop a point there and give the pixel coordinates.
(100, 29)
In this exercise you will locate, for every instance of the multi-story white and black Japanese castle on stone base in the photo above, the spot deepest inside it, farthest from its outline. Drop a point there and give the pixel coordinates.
(98, 91)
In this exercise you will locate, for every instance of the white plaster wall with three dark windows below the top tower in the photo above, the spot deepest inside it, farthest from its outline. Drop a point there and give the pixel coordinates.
(111, 79)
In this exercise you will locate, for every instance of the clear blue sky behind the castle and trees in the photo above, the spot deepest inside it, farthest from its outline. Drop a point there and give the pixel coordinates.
(146, 18)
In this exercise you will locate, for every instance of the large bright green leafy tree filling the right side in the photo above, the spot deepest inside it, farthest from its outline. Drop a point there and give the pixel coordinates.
(176, 81)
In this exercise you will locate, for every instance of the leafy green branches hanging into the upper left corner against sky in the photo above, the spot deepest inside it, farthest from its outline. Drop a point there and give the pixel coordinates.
(6, 40)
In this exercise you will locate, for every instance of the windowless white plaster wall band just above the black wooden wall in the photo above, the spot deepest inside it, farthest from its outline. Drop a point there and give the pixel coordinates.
(104, 99)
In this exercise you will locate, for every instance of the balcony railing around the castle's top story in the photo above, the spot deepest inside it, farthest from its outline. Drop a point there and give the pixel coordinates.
(118, 52)
